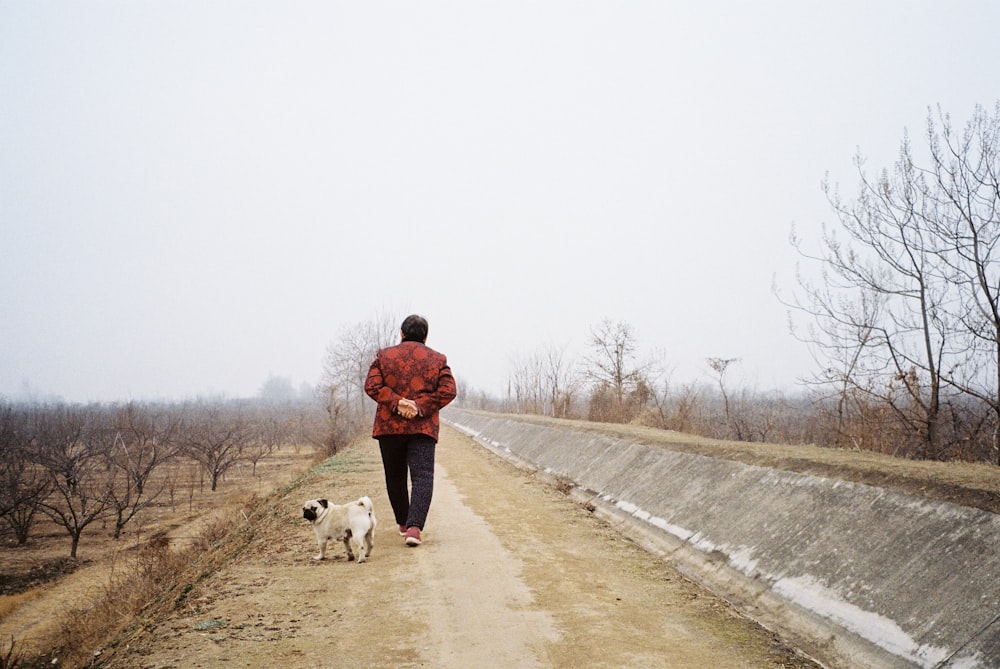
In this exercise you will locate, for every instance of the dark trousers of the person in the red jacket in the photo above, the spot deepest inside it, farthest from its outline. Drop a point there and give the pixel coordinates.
(411, 454)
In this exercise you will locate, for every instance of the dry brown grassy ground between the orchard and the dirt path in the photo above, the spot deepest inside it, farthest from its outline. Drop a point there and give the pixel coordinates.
(160, 560)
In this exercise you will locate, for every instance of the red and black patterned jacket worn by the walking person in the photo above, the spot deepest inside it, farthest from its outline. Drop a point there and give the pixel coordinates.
(414, 371)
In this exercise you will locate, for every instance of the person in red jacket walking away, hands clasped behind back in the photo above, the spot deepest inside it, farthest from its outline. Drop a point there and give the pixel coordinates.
(411, 383)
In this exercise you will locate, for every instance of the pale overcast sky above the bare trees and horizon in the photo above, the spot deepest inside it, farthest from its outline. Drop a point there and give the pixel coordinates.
(195, 196)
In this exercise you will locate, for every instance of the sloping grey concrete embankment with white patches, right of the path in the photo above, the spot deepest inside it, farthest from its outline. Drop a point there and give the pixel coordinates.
(854, 575)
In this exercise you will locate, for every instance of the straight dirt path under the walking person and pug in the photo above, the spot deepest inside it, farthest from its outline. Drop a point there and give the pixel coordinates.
(511, 574)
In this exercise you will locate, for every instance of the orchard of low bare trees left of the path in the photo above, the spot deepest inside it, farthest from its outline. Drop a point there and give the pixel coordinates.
(78, 465)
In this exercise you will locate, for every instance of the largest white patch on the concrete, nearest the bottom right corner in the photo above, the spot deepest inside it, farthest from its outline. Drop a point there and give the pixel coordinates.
(883, 632)
